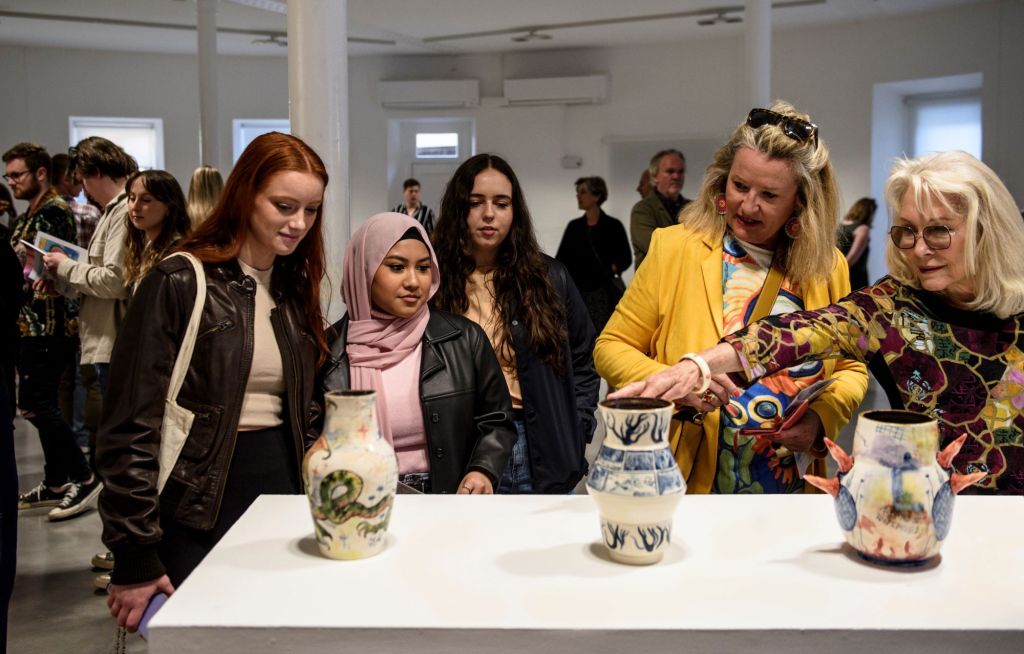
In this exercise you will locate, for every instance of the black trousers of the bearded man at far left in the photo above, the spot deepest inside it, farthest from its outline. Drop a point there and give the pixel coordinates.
(41, 362)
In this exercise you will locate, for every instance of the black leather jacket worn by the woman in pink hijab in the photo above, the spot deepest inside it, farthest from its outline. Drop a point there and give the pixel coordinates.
(467, 412)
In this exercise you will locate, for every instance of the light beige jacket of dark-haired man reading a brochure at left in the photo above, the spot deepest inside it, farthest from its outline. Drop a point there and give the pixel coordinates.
(101, 281)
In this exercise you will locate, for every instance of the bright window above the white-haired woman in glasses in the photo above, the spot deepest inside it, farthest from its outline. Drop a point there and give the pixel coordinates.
(947, 122)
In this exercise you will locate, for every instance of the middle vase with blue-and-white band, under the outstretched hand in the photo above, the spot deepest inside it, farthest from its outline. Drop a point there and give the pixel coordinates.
(635, 481)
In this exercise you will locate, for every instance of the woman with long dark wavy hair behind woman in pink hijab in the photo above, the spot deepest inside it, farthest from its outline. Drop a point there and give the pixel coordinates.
(494, 273)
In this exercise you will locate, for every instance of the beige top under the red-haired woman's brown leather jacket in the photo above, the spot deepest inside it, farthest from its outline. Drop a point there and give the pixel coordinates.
(264, 404)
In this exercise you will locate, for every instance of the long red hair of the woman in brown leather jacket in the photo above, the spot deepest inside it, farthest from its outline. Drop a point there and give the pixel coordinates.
(220, 238)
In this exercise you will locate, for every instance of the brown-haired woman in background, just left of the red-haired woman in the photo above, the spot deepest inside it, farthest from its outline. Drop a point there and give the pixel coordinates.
(157, 222)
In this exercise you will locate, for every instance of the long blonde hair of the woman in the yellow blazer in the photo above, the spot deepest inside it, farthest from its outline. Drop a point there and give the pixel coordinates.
(813, 255)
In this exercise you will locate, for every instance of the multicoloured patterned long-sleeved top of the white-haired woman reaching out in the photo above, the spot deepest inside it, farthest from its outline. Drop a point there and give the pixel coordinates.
(963, 368)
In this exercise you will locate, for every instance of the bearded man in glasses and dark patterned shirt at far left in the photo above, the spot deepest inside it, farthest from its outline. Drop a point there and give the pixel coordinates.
(49, 326)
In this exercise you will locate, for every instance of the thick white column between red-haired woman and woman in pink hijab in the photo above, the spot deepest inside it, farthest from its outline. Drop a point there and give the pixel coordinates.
(318, 94)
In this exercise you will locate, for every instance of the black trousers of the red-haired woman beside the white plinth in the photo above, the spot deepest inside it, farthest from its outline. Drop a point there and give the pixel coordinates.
(264, 464)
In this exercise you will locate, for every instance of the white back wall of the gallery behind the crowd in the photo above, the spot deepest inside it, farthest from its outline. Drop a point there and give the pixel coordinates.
(686, 92)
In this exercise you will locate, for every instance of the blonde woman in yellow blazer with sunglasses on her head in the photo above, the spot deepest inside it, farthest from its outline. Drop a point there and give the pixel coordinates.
(759, 240)
